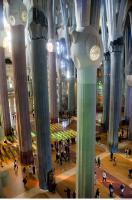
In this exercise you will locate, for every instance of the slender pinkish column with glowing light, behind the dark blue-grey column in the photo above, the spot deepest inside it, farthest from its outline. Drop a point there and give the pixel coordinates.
(52, 64)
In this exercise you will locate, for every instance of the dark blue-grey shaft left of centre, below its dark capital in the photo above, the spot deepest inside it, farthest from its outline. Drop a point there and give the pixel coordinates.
(41, 105)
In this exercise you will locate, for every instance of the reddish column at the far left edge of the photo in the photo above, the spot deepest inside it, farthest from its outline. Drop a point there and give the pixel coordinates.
(3, 80)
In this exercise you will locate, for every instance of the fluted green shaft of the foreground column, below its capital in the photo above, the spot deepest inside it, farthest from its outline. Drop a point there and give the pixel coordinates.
(86, 113)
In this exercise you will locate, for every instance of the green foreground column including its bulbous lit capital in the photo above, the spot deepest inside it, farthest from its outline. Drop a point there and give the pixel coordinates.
(86, 55)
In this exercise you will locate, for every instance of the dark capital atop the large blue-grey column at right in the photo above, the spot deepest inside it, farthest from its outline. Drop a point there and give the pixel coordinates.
(116, 45)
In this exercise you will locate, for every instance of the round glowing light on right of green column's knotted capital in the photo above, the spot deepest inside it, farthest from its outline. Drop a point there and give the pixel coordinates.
(95, 53)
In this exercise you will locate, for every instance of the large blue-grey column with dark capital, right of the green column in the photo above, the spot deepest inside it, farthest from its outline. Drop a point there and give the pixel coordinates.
(115, 87)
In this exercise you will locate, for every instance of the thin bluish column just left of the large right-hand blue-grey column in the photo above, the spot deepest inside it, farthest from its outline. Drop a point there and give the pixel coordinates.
(106, 90)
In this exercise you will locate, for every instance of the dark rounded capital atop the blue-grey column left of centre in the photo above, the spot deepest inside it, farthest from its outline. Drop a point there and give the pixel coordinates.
(37, 23)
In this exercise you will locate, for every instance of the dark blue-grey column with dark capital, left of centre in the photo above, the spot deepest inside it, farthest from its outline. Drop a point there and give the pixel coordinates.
(38, 34)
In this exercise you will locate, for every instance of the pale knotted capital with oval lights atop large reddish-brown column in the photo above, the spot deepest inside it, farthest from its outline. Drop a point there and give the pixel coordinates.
(16, 13)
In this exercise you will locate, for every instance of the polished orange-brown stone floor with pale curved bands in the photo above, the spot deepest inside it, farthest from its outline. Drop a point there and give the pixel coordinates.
(12, 185)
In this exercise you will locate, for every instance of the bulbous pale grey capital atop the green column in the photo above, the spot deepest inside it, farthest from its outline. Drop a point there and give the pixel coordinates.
(86, 48)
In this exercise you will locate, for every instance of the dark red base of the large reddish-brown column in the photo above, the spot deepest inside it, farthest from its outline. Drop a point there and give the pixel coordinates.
(26, 157)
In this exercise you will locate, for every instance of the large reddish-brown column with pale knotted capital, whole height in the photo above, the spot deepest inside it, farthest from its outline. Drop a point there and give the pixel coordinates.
(17, 21)
